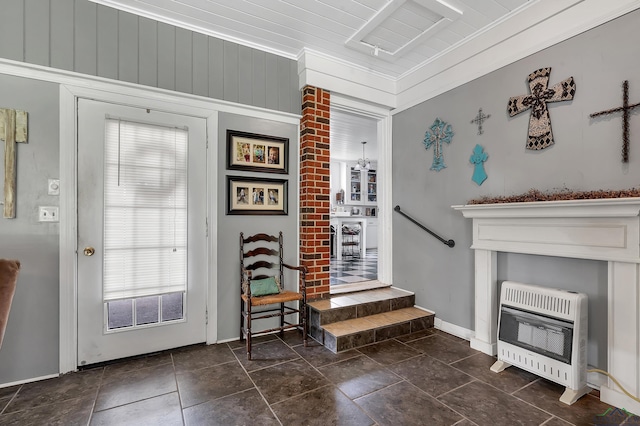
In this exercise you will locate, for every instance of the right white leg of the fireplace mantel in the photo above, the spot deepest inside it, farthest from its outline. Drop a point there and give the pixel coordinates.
(624, 336)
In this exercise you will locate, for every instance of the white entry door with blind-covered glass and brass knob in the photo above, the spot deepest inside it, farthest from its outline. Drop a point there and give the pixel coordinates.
(142, 244)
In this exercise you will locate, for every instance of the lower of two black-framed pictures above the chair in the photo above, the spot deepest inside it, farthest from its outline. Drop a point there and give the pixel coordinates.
(249, 195)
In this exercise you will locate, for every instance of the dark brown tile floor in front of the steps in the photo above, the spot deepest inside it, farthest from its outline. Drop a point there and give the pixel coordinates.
(427, 378)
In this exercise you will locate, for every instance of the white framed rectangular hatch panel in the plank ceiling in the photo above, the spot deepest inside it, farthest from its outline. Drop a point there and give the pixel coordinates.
(401, 25)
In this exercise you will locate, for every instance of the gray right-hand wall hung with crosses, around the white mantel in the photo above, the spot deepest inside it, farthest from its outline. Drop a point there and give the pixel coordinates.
(586, 156)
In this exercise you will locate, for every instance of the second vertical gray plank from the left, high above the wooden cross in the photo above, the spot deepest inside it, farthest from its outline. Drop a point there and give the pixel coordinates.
(36, 41)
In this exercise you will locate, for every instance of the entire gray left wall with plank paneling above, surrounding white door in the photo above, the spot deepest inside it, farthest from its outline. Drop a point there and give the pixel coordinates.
(95, 40)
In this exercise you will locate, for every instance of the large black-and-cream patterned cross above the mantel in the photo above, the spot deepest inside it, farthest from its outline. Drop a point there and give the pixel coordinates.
(540, 134)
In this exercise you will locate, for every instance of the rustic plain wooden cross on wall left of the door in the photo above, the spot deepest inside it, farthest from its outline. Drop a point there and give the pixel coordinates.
(13, 128)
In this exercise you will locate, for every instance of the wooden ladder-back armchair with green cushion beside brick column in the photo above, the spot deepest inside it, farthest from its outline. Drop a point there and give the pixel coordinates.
(262, 284)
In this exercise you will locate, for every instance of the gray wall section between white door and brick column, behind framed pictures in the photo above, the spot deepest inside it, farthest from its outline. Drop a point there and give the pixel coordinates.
(230, 226)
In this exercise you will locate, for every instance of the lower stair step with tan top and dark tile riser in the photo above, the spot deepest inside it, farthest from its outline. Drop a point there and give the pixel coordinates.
(352, 333)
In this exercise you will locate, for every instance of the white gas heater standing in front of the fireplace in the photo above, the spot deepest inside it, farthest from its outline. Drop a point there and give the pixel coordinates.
(544, 331)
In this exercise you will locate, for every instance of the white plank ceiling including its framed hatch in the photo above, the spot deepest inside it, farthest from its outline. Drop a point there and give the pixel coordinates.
(408, 33)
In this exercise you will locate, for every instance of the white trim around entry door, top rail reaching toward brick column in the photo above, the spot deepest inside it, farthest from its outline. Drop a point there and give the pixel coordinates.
(133, 95)
